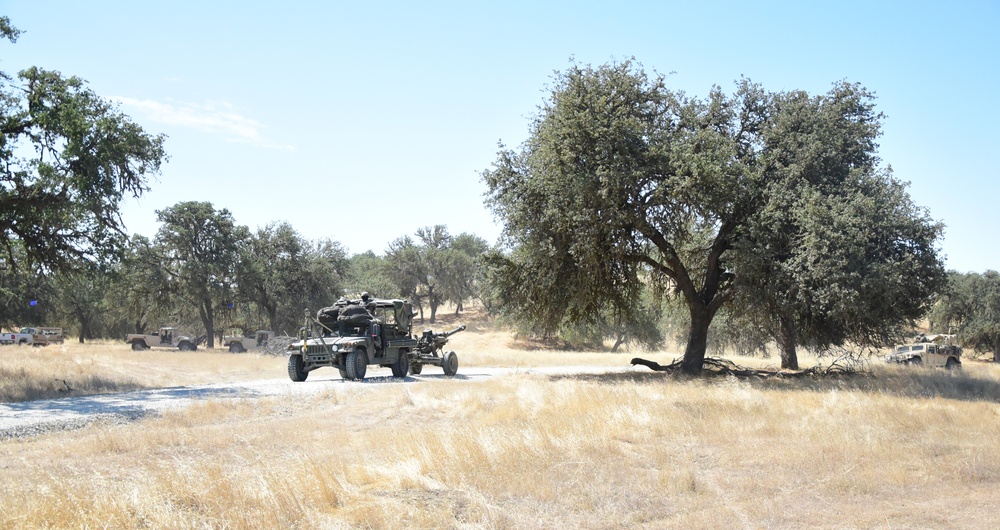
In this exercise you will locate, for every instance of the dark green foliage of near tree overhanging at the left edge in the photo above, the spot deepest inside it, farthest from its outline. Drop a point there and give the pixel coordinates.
(68, 157)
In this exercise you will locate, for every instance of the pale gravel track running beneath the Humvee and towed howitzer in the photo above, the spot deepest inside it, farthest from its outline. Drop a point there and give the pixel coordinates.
(36, 417)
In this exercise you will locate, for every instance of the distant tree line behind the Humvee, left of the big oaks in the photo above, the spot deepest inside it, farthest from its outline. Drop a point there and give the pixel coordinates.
(206, 274)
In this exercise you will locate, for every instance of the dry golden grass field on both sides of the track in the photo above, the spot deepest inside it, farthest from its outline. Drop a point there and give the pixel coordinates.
(902, 448)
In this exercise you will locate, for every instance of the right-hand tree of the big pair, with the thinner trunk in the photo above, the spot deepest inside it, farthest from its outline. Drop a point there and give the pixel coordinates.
(838, 252)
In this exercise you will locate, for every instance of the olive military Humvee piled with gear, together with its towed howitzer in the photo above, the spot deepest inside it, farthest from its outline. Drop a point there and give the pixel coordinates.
(352, 335)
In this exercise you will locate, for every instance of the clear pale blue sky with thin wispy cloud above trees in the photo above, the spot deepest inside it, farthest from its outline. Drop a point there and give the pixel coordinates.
(318, 112)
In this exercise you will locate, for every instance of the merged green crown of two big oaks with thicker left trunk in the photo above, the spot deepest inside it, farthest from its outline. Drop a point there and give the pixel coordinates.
(624, 184)
